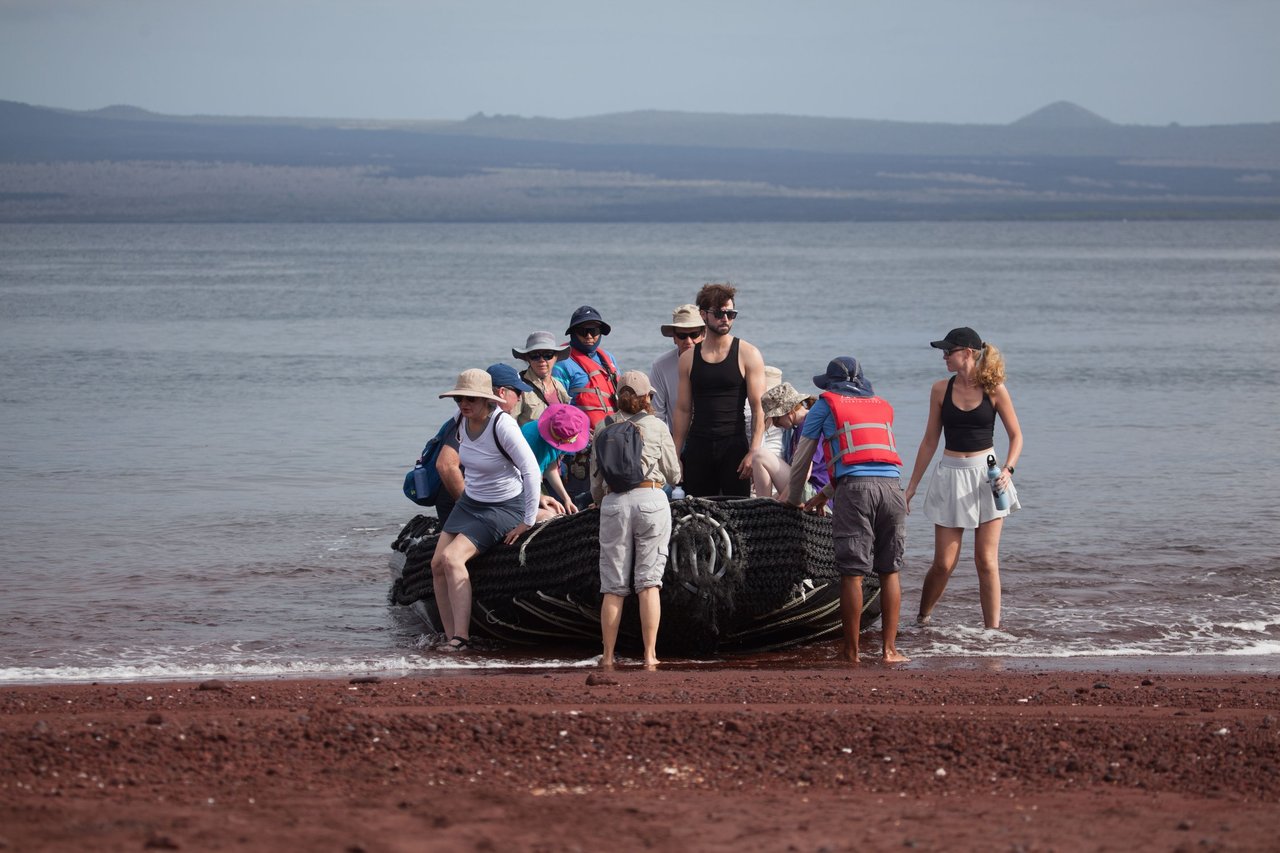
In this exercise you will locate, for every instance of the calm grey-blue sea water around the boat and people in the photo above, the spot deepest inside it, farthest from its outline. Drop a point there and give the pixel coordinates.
(203, 428)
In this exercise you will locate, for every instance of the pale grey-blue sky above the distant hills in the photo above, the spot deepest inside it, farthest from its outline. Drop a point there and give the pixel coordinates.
(1141, 62)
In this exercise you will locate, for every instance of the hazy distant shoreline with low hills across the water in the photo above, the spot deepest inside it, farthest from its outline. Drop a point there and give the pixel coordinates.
(125, 165)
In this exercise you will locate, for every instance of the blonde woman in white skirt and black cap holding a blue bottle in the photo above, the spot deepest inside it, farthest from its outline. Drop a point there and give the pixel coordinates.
(963, 410)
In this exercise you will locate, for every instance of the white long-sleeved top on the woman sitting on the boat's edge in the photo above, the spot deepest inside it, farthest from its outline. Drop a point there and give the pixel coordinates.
(490, 477)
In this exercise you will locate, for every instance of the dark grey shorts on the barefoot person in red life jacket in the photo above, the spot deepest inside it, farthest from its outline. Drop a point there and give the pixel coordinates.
(870, 524)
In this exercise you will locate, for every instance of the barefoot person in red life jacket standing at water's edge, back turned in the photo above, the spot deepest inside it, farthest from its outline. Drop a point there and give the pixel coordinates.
(870, 513)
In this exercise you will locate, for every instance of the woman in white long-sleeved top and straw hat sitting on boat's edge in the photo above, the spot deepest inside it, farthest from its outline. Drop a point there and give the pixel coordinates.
(500, 500)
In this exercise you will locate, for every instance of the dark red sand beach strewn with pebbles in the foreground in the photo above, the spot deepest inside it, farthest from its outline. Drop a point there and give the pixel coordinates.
(708, 760)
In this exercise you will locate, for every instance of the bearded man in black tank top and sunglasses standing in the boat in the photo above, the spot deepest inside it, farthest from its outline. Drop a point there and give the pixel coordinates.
(716, 378)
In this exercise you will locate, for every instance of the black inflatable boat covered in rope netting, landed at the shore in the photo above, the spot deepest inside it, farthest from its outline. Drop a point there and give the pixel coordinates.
(744, 569)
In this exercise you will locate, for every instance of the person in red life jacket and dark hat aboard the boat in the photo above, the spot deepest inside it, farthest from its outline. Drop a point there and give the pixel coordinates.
(591, 375)
